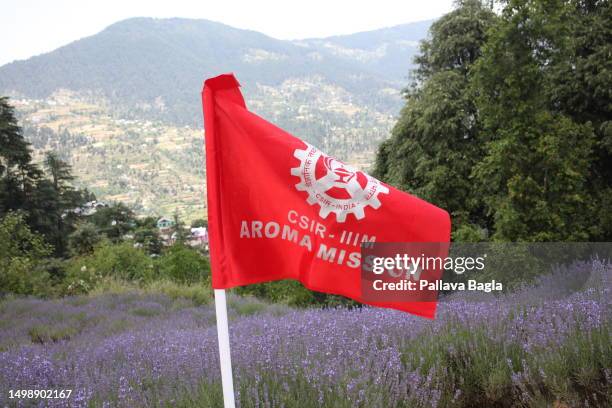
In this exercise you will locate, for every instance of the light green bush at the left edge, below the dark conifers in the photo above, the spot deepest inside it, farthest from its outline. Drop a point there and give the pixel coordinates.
(21, 252)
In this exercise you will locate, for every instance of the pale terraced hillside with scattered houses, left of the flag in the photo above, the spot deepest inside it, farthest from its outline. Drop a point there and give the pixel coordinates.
(152, 166)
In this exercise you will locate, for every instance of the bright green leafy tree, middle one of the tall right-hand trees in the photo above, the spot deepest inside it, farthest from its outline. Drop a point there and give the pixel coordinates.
(537, 160)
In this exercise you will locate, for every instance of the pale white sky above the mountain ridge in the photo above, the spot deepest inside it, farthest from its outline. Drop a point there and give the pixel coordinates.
(32, 27)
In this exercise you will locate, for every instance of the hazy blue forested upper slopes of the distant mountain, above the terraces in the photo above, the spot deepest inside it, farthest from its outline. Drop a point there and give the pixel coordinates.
(159, 64)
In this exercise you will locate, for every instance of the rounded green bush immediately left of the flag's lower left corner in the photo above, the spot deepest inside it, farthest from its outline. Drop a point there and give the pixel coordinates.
(183, 264)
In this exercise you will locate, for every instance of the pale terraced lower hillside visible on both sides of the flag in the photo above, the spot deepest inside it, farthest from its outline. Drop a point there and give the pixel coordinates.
(158, 167)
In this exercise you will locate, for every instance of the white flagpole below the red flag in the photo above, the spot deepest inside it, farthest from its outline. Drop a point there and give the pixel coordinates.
(224, 350)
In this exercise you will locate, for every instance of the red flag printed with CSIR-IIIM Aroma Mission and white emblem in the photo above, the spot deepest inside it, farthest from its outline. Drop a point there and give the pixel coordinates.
(279, 208)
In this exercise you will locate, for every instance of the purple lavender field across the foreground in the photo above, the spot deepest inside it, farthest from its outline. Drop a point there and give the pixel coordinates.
(545, 345)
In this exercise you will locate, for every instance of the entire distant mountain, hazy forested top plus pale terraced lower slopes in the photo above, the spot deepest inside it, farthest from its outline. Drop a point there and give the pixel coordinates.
(123, 106)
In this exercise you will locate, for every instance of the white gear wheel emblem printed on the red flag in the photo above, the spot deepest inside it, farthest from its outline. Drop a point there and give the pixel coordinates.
(336, 187)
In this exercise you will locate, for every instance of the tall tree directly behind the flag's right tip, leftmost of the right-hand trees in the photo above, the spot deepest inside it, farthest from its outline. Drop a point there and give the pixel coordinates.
(435, 143)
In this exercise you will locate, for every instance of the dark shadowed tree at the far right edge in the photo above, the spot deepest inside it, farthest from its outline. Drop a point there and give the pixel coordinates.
(578, 85)
